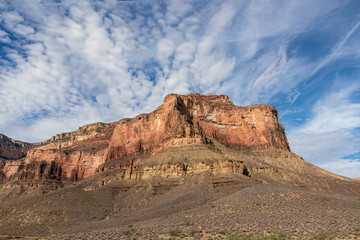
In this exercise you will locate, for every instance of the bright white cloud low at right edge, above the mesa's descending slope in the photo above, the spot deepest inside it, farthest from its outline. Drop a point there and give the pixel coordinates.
(330, 134)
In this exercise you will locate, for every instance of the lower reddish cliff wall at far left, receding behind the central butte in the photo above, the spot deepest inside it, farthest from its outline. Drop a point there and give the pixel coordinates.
(67, 157)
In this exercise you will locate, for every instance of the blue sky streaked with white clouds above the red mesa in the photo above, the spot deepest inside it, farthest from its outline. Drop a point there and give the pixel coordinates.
(64, 64)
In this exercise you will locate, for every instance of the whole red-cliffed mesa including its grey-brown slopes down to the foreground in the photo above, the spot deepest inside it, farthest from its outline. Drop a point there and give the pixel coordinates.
(198, 167)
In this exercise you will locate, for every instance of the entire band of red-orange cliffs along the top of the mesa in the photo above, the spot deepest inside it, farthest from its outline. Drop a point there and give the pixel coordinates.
(181, 120)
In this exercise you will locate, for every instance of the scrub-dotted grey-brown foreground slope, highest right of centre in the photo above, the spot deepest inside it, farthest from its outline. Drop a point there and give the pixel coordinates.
(255, 211)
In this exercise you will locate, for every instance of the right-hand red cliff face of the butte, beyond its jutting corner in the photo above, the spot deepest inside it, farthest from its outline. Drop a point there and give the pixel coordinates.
(245, 128)
